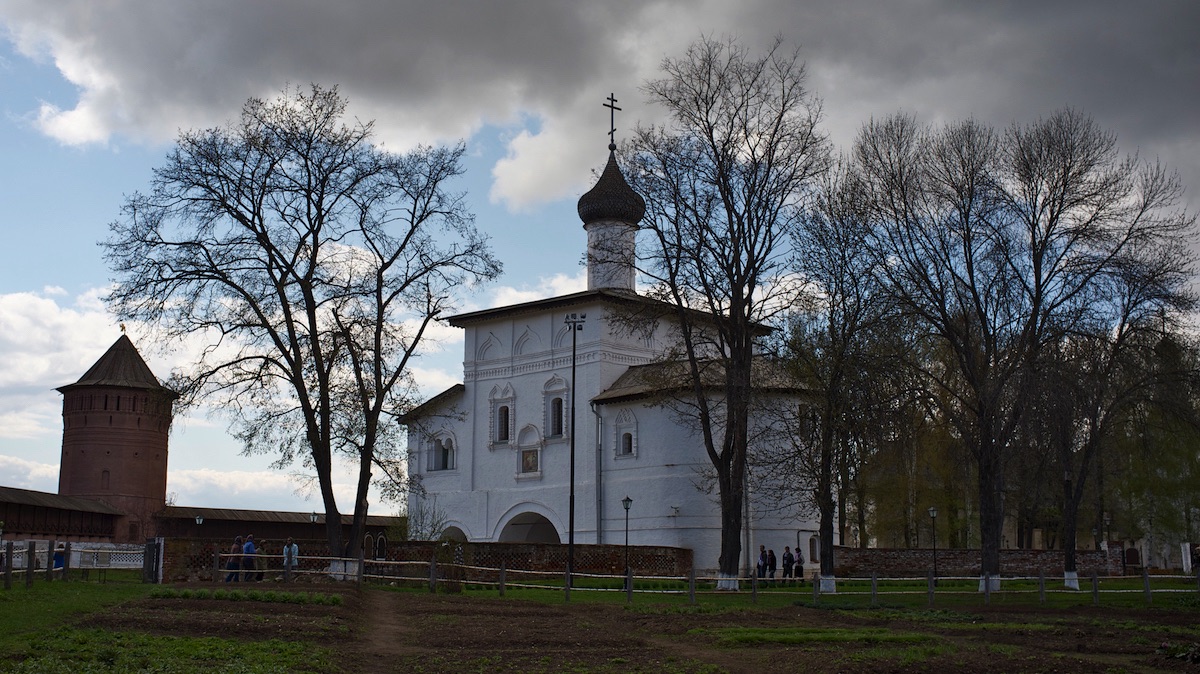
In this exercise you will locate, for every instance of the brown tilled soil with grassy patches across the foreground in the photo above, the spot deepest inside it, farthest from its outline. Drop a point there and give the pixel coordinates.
(379, 630)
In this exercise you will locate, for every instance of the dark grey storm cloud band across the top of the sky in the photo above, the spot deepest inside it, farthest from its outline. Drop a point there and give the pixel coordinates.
(431, 71)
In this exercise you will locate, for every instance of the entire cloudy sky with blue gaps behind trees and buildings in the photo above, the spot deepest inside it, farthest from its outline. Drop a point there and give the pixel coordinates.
(93, 94)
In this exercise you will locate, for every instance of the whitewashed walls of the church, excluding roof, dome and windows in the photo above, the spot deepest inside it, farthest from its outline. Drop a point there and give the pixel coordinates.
(485, 490)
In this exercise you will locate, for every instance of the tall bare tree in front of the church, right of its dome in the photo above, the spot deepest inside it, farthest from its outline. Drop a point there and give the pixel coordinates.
(724, 183)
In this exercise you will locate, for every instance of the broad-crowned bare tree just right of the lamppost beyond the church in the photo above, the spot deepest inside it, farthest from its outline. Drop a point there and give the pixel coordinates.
(999, 244)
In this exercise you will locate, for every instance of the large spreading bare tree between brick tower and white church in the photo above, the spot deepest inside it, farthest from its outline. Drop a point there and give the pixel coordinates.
(311, 263)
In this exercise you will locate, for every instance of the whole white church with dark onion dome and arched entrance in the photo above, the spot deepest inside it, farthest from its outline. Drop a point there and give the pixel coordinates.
(493, 455)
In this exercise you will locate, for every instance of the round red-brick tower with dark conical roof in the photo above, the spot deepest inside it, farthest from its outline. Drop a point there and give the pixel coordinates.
(116, 422)
